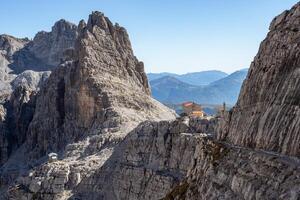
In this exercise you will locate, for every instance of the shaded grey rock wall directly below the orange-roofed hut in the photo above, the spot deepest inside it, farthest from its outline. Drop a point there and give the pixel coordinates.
(148, 162)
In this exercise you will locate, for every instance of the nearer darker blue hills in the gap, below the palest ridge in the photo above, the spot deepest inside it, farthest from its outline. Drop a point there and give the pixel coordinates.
(170, 90)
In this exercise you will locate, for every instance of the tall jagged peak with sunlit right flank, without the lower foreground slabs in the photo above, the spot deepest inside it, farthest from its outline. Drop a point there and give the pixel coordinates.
(100, 87)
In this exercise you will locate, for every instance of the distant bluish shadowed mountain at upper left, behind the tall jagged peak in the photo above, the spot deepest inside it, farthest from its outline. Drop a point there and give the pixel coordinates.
(43, 53)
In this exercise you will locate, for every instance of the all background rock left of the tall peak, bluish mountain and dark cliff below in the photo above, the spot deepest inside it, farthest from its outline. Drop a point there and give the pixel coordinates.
(22, 71)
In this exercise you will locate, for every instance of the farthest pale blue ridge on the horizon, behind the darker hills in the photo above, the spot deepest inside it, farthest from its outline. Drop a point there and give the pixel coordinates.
(195, 78)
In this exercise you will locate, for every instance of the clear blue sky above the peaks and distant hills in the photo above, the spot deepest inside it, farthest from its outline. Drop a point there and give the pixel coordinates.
(168, 35)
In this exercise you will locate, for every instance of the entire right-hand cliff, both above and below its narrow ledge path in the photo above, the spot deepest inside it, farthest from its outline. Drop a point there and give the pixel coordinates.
(256, 152)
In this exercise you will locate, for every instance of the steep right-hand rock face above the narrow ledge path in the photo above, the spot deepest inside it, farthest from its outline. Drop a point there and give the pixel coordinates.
(267, 113)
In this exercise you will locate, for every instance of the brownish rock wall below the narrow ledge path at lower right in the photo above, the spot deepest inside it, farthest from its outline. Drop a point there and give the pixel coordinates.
(224, 171)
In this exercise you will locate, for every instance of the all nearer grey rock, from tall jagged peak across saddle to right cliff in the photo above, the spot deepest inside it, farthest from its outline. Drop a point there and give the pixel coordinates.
(90, 109)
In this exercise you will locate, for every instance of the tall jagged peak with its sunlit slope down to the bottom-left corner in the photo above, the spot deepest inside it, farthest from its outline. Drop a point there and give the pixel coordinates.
(87, 106)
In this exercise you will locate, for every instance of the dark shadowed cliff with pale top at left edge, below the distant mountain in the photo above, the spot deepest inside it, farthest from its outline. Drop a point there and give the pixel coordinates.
(17, 111)
